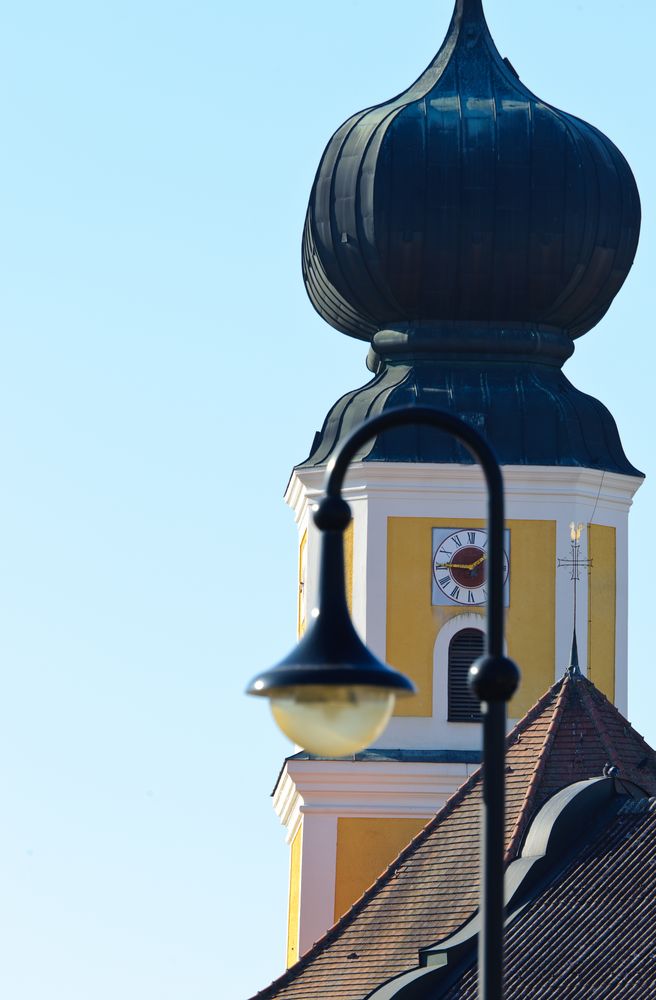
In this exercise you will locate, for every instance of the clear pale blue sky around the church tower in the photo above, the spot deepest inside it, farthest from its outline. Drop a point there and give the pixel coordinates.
(162, 370)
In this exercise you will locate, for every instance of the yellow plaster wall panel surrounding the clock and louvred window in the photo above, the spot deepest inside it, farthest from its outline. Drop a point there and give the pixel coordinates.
(413, 623)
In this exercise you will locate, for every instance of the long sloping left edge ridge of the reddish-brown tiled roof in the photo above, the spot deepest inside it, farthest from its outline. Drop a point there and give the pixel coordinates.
(440, 816)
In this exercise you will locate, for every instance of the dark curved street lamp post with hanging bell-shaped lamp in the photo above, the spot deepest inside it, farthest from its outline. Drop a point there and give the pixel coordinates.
(331, 692)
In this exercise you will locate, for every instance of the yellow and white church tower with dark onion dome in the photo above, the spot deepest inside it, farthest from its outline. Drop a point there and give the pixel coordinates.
(469, 233)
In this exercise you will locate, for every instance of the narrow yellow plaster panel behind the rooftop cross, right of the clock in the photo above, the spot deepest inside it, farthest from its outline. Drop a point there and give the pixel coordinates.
(602, 577)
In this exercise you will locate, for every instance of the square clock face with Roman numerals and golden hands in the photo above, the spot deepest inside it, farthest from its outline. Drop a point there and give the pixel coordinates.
(460, 566)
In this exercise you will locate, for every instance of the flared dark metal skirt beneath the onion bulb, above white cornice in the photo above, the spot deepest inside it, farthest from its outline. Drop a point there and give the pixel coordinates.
(530, 414)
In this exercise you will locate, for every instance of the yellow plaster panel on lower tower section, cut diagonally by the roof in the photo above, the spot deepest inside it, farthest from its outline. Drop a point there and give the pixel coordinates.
(365, 847)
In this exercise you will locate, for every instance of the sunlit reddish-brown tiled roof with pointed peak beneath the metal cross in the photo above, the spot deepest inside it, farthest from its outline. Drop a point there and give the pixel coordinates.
(431, 889)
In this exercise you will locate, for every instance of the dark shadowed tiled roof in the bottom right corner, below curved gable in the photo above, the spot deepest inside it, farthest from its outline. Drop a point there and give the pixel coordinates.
(590, 934)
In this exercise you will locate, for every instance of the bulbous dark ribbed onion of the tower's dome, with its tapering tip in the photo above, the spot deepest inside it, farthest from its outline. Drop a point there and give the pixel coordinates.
(467, 198)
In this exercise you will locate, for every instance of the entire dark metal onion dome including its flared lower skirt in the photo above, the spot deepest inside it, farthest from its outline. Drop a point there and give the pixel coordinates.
(470, 232)
